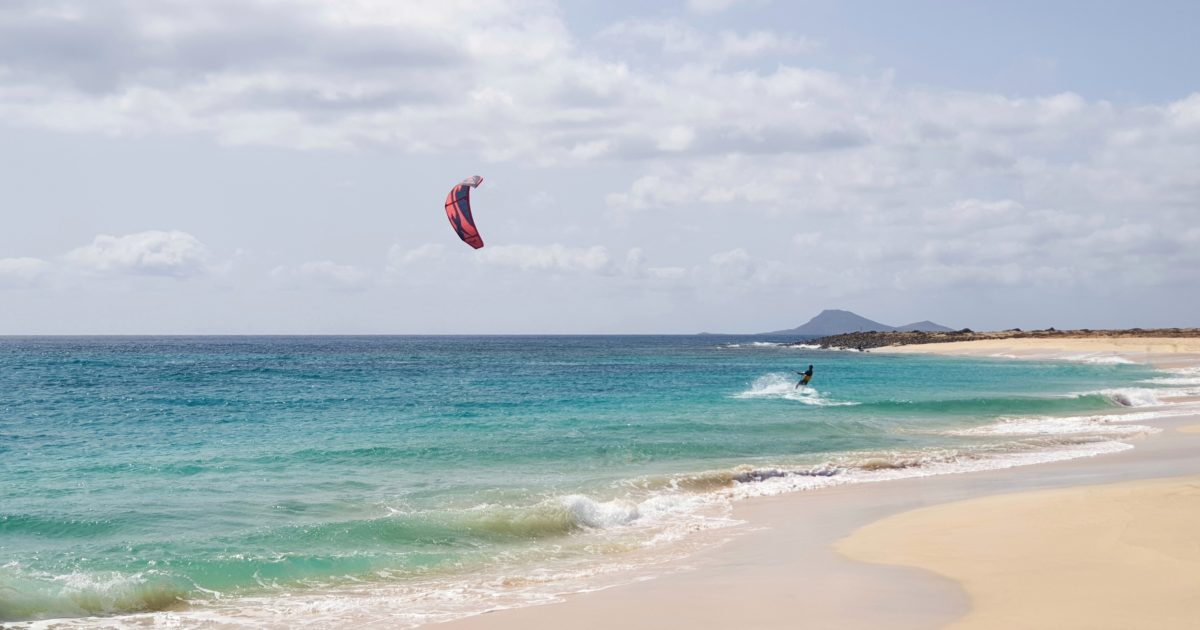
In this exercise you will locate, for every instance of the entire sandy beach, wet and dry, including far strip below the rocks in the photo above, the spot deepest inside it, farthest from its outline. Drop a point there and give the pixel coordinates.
(1106, 542)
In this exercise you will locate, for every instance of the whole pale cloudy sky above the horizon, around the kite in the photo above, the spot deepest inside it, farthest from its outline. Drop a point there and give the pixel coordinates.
(725, 166)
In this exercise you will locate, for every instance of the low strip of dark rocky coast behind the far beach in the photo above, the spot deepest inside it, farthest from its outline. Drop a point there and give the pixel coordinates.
(868, 340)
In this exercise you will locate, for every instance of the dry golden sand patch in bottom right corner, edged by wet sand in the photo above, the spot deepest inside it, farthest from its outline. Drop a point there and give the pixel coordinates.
(1115, 556)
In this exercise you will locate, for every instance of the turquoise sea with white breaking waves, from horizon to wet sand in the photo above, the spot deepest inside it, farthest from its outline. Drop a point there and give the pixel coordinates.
(194, 473)
